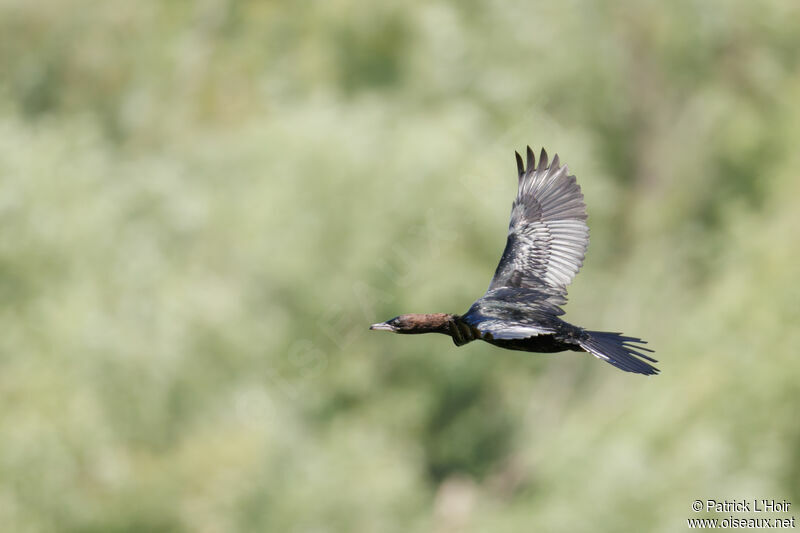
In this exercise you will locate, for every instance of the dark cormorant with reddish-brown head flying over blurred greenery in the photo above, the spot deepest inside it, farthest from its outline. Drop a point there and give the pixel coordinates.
(546, 244)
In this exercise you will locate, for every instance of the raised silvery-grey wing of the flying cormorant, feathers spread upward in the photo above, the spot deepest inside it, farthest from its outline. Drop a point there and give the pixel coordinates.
(547, 235)
